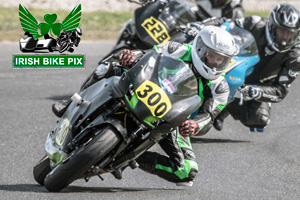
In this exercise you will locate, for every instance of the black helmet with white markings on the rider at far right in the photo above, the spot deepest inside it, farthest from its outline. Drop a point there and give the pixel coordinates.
(283, 27)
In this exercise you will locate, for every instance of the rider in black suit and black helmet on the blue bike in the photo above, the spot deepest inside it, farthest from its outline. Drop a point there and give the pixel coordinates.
(277, 38)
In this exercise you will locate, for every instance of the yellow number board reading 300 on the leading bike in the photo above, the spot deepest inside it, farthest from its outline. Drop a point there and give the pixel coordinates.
(154, 98)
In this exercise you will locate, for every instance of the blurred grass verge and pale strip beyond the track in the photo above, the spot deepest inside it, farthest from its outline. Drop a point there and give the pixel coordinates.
(101, 19)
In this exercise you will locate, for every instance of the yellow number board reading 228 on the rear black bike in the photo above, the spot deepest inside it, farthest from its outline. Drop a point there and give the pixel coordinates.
(156, 30)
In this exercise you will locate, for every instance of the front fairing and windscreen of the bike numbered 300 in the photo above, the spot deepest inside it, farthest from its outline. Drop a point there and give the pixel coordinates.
(174, 95)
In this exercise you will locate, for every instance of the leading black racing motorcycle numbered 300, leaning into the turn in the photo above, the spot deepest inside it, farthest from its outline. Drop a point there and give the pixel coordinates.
(109, 124)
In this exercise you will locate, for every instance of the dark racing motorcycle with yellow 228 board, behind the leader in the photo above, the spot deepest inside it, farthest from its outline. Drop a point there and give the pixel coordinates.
(154, 23)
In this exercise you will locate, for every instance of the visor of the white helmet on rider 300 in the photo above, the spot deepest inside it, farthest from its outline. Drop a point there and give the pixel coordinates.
(215, 61)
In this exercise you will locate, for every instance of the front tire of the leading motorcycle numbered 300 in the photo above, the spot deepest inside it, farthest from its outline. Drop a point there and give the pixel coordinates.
(86, 156)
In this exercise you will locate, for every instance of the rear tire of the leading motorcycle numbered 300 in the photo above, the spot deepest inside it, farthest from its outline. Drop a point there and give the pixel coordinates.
(41, 169)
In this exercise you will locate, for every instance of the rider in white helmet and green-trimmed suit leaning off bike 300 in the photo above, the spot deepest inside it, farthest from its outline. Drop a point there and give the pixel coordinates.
(209, 56)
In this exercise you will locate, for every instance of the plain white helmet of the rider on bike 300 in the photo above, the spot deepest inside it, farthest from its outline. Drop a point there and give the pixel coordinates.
(213, 48)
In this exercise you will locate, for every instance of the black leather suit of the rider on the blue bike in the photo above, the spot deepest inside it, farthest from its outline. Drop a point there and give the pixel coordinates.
(273, 75)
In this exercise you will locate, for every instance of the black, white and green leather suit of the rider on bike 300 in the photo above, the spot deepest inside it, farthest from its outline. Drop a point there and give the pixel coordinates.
(179, 165)
